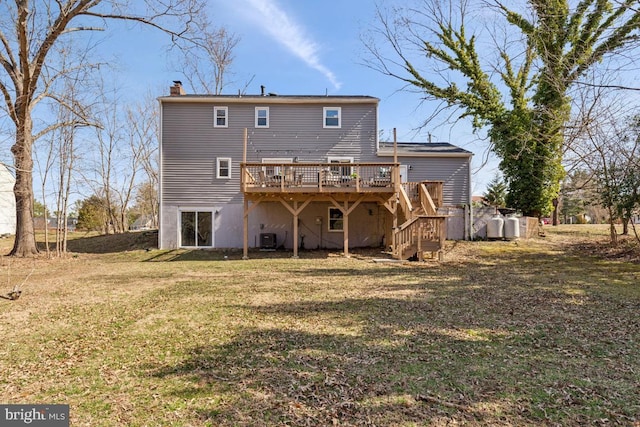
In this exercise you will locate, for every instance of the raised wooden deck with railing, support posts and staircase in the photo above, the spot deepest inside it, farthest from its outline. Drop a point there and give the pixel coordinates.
(346, 185)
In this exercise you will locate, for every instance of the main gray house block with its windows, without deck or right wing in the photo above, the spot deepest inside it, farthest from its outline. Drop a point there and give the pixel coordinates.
(203, 146)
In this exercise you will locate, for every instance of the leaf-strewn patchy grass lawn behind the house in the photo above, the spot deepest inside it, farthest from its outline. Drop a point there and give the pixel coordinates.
(539, 332)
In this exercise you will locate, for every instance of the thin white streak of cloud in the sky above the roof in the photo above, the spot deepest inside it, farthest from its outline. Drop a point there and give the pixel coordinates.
(291, 35)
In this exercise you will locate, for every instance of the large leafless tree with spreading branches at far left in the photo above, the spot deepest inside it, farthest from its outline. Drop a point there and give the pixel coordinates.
(29, 31)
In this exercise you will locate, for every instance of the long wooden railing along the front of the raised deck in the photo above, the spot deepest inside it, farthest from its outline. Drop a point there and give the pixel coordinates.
(282, 177)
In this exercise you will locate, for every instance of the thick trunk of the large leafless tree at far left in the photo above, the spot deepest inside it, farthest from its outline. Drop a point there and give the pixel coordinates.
(25, 242)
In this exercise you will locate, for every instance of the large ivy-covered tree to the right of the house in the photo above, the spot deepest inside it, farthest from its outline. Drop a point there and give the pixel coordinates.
(512, 79)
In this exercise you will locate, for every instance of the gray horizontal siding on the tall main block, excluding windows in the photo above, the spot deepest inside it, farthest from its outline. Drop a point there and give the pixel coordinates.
(191, 144)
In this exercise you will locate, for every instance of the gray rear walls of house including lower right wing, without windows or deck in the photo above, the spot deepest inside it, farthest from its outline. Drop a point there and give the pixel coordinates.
(191, 144)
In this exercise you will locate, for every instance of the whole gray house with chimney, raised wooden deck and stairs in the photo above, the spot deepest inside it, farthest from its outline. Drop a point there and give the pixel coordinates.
(299, 172)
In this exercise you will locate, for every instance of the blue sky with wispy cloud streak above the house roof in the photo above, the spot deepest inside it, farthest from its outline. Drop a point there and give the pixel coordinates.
(295, 47)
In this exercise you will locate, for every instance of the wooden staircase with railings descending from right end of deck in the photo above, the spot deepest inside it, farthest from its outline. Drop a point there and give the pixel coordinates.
(423, 230)
